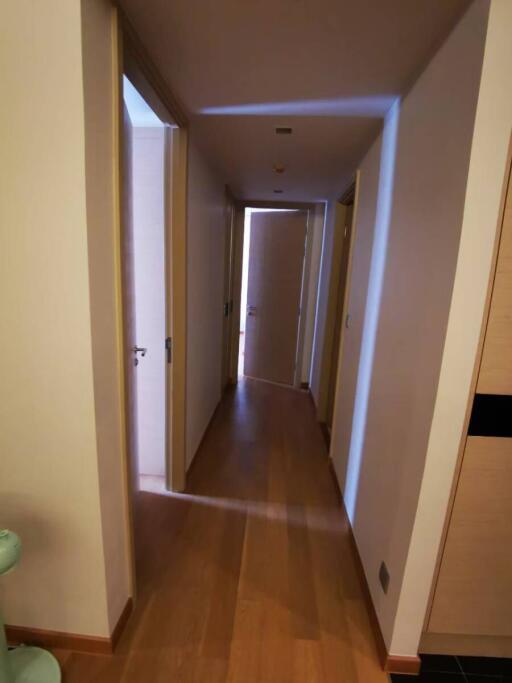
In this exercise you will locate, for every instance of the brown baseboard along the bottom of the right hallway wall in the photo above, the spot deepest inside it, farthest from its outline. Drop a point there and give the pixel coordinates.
(396, 664)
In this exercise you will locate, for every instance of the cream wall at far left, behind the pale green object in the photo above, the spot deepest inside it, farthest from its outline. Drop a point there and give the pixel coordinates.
(49, 487)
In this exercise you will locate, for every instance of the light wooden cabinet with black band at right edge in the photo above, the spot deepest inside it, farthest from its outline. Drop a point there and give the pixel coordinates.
(471, 608)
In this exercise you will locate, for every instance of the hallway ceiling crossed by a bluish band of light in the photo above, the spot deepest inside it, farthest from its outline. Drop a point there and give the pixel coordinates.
(327, 68)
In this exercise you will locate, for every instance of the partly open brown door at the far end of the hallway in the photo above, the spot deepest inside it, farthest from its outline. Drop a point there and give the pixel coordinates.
(276, 260)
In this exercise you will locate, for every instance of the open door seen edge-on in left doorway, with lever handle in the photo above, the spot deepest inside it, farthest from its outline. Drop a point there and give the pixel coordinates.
(128, 265)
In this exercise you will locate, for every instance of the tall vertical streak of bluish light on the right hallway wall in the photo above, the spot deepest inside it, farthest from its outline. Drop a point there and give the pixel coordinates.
(373, 301)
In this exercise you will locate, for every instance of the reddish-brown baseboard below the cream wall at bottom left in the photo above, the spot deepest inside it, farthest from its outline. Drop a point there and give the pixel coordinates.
(17, 635)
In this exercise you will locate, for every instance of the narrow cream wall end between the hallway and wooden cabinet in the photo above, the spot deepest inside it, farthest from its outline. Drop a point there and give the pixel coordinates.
(482, 201)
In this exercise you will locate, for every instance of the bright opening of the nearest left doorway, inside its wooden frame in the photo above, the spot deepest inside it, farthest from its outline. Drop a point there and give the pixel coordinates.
(145, 276)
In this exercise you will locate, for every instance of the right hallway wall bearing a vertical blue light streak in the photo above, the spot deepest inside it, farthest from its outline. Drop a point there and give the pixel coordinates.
(418, 218)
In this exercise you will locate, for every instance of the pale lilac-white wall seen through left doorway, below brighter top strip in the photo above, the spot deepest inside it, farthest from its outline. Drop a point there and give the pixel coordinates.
(149, 277)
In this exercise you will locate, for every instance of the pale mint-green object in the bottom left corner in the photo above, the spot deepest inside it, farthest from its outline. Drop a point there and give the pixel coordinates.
(22, 664)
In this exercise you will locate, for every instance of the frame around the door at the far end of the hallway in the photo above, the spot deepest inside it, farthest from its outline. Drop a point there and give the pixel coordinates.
(236, 268)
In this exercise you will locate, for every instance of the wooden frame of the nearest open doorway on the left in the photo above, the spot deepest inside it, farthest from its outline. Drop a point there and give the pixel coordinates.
(128, 52)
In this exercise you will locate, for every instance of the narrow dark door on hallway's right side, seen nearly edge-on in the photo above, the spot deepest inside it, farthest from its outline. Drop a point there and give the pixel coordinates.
(340, 301)
